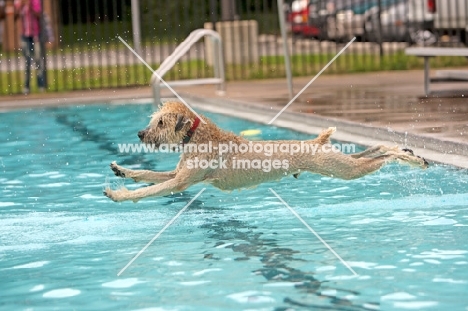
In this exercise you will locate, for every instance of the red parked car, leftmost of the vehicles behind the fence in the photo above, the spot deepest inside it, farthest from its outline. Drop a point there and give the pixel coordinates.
(298, 19)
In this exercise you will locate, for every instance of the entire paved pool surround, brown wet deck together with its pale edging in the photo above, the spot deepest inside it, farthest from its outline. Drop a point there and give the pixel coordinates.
(367, 108)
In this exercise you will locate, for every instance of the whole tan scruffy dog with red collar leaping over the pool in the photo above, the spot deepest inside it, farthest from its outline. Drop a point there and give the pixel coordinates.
(241, 167)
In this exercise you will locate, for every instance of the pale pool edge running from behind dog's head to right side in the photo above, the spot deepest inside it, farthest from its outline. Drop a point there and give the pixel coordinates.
(433, 149)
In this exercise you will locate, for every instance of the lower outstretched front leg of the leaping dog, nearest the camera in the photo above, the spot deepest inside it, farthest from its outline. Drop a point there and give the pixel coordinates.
(174, 185)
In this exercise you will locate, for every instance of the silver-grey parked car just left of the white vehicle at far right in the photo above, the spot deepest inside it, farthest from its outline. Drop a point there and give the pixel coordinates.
(404, 20)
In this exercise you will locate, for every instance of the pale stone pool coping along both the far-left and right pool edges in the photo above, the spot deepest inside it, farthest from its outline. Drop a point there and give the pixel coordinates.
(433, 149)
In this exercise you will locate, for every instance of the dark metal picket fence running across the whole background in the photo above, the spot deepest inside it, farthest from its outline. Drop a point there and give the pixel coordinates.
(83, 50)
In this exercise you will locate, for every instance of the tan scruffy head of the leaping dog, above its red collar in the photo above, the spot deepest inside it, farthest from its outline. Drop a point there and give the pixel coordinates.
(169, 125)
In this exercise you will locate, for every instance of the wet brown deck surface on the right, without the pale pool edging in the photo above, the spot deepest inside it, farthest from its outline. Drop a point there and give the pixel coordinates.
(393, 100)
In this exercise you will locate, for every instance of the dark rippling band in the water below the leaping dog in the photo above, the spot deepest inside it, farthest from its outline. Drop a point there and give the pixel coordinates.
(276, 261)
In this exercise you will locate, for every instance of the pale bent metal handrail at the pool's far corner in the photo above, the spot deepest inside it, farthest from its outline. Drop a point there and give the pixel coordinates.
(180, 51)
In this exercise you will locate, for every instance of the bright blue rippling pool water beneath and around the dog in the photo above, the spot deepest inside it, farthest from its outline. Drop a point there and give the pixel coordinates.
(404, 231)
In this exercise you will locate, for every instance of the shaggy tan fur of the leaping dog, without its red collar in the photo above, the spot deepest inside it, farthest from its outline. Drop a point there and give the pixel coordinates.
(172, 122)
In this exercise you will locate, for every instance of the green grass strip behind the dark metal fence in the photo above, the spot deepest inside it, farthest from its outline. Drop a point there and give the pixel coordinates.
(268, 67)
